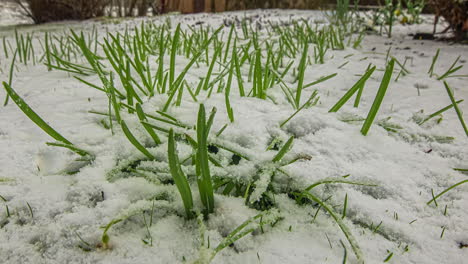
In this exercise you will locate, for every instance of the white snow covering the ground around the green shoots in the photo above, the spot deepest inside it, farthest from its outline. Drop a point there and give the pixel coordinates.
(392, 218)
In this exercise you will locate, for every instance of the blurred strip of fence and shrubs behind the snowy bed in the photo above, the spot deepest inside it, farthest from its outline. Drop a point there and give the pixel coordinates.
(15, 12)
